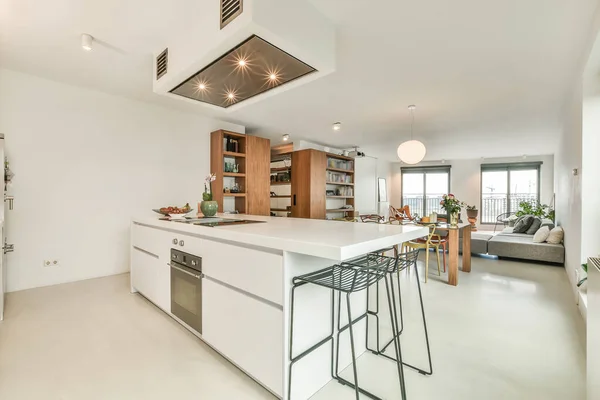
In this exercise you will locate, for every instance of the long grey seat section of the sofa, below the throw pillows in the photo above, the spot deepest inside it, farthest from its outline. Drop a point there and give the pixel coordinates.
(523, 247)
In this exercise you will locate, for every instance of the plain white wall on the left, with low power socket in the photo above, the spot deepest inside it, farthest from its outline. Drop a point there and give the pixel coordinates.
(85, 162)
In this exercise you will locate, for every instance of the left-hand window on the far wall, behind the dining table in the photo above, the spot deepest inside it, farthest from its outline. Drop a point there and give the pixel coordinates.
(423, 188)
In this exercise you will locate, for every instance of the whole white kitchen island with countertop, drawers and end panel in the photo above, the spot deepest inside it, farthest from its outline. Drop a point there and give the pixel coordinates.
(245, 282)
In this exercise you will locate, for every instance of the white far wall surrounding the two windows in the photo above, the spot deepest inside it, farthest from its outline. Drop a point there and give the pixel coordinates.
(465, 178)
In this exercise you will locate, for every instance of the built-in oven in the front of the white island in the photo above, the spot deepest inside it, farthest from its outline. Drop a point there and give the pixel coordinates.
(186, 288)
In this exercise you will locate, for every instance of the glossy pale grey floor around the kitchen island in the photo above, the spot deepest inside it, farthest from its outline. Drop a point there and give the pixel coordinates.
(510, 330)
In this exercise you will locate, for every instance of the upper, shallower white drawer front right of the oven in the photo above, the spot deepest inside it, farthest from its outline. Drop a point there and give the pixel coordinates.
(253, 271)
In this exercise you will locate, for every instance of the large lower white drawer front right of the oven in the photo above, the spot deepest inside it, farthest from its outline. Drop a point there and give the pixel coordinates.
(245, 330)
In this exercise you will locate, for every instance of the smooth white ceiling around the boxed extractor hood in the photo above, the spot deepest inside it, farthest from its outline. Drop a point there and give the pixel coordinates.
(489, 78)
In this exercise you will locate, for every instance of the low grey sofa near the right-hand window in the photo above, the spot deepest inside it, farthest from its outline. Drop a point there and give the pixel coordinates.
(517, 245)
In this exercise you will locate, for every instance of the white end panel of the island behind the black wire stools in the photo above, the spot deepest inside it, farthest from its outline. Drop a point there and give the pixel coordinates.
(312, 323)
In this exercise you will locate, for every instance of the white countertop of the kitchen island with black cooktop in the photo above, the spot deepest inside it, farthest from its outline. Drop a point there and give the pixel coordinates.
(334, 240)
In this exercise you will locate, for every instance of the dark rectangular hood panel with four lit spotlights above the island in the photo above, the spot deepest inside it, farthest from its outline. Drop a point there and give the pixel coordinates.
(252, 68)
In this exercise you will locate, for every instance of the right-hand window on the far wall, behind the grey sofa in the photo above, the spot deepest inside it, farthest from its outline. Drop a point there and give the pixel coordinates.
(504, 186)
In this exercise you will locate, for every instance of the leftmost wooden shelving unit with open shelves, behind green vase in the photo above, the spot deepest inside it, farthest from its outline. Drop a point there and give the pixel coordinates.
(251, 157)
